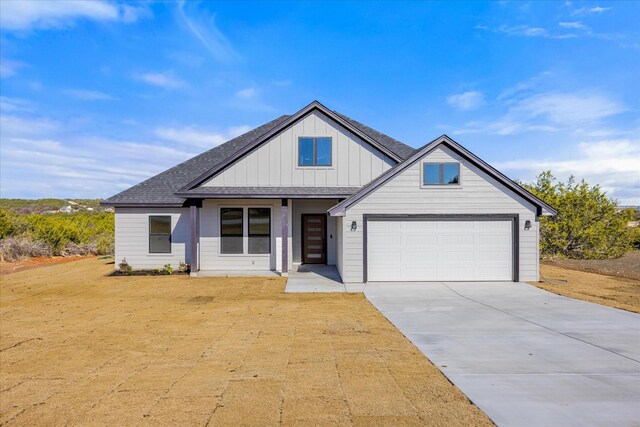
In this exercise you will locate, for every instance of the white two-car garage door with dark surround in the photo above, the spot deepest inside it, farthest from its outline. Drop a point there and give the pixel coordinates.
(439, 250)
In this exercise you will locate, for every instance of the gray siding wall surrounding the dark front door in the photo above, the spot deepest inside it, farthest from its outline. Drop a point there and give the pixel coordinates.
(313, 207)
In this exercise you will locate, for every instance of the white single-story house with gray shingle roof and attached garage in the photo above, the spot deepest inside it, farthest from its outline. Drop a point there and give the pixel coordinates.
(317, 187)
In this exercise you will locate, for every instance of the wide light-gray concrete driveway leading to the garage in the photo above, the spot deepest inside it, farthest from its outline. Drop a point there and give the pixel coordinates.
(525, 356)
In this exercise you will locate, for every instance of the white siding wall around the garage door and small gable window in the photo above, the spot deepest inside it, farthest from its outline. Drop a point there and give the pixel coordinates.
(478, 193)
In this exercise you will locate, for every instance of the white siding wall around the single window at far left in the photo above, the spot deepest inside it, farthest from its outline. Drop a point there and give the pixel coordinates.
(132, 237)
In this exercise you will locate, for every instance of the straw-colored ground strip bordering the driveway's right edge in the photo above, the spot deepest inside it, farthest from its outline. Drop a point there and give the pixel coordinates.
(612, 291)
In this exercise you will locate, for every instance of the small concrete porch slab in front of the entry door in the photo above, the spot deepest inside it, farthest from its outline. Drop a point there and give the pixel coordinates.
(314, 278)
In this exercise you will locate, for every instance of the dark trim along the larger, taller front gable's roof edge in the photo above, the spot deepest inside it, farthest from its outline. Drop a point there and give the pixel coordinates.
(314, 106)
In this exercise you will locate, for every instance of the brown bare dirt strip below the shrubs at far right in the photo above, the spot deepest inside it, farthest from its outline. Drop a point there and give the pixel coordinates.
(627, 266)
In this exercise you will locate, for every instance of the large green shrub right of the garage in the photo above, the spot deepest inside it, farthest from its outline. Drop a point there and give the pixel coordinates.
(589, 225)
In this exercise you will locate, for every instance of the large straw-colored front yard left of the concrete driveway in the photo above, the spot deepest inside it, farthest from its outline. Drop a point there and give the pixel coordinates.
(80, 348)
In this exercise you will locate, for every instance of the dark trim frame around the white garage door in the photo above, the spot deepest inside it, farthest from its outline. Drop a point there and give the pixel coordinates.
(513, 218)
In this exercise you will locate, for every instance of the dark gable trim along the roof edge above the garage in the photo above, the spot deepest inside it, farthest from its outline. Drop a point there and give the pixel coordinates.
(542, 208)
